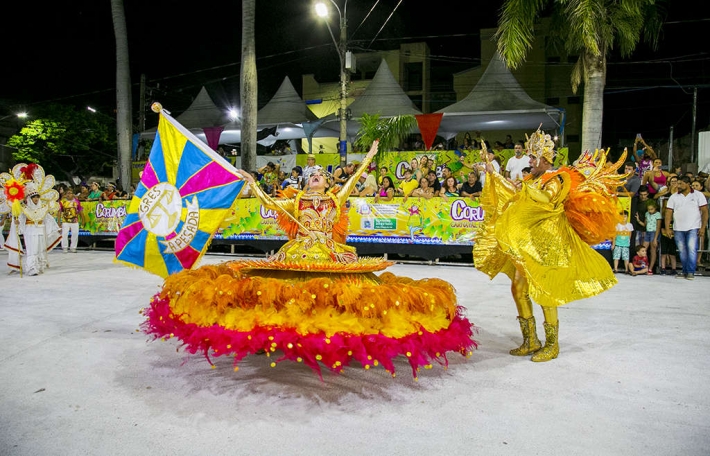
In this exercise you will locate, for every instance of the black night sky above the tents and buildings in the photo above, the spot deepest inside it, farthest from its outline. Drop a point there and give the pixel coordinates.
(65, 52)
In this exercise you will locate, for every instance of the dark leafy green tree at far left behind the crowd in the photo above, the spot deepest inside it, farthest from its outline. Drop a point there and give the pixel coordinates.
(67, 141)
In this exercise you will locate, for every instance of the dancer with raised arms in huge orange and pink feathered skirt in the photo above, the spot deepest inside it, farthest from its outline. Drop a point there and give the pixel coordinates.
(315, 300)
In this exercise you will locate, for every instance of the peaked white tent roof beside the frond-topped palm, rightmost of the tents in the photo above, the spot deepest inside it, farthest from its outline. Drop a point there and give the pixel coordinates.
(498, 102)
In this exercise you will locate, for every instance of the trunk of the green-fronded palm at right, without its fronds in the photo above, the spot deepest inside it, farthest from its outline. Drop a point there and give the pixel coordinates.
(593, 108)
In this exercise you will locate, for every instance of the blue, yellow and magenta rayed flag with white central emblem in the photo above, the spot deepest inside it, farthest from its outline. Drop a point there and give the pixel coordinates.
(185, 192)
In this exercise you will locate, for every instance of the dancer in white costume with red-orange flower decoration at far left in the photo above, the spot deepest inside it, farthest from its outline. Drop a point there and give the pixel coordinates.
(33, 218)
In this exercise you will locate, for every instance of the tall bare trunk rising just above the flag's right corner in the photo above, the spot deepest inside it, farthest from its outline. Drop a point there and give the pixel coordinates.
(248, 87)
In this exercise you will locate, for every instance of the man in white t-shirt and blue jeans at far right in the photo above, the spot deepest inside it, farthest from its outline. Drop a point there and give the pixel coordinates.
(689, 211)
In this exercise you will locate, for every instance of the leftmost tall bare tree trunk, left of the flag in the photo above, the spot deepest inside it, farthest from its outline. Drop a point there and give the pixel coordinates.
(124, 128)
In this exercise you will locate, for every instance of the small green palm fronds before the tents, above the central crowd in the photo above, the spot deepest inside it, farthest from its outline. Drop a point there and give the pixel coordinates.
(391, 131)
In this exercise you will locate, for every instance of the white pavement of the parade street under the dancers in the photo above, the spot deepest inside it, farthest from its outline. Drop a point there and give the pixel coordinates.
(77, 379)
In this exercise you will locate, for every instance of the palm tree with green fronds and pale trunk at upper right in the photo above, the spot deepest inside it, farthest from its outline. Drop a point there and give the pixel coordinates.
(588, 28)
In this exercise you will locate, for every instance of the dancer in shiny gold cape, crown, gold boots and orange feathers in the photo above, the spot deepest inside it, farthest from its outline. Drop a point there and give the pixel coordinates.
(540, 236)
